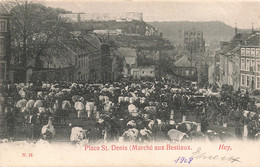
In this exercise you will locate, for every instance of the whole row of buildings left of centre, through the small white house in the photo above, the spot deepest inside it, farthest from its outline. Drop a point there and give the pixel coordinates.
(80, 56)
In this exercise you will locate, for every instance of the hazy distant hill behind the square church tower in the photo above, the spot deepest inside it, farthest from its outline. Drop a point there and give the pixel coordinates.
(214, 31)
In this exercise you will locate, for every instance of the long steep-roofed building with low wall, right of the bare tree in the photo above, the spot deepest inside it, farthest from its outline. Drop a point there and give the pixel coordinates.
(72, 59)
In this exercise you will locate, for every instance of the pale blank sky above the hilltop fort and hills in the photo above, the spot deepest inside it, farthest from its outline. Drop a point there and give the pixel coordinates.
(242, 12)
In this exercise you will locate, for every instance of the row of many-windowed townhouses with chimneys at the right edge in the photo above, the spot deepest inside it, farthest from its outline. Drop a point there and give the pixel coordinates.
(238, 62)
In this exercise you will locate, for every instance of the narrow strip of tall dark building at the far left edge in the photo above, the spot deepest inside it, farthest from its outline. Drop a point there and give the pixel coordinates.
(4, 42)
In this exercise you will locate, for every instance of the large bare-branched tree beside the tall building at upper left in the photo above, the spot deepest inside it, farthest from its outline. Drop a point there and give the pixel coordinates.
(33, 27)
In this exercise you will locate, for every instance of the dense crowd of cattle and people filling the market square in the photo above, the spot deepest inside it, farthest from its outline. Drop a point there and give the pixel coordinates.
(144, 111)
